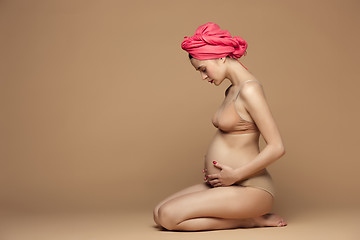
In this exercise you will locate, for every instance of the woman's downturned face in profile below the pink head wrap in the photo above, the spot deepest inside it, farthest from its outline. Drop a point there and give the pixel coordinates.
(212, 70)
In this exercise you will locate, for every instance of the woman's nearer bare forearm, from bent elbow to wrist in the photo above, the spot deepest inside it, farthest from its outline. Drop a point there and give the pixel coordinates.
(267, 156)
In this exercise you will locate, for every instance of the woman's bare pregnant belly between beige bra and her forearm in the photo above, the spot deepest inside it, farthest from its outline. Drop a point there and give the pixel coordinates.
(233, 150)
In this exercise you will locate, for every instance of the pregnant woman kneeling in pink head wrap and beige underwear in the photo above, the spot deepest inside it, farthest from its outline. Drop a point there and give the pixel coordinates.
(237, 190)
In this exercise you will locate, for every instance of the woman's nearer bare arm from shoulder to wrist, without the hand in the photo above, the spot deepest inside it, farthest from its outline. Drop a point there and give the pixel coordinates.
(256, 104)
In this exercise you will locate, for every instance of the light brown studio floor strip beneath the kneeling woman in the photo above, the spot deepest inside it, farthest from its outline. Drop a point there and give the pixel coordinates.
(335, 223)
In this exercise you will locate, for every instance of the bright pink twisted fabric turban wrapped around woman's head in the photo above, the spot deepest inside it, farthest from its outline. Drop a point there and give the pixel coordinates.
(210, 42)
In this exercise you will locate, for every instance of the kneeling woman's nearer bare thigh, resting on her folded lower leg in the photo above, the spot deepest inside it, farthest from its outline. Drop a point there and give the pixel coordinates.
(232, 202)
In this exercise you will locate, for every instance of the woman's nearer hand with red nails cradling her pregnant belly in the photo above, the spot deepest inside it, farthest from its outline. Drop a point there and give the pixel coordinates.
(226, 177)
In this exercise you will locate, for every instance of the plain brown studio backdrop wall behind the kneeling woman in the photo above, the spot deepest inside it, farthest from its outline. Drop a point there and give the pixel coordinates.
(101, 109)
